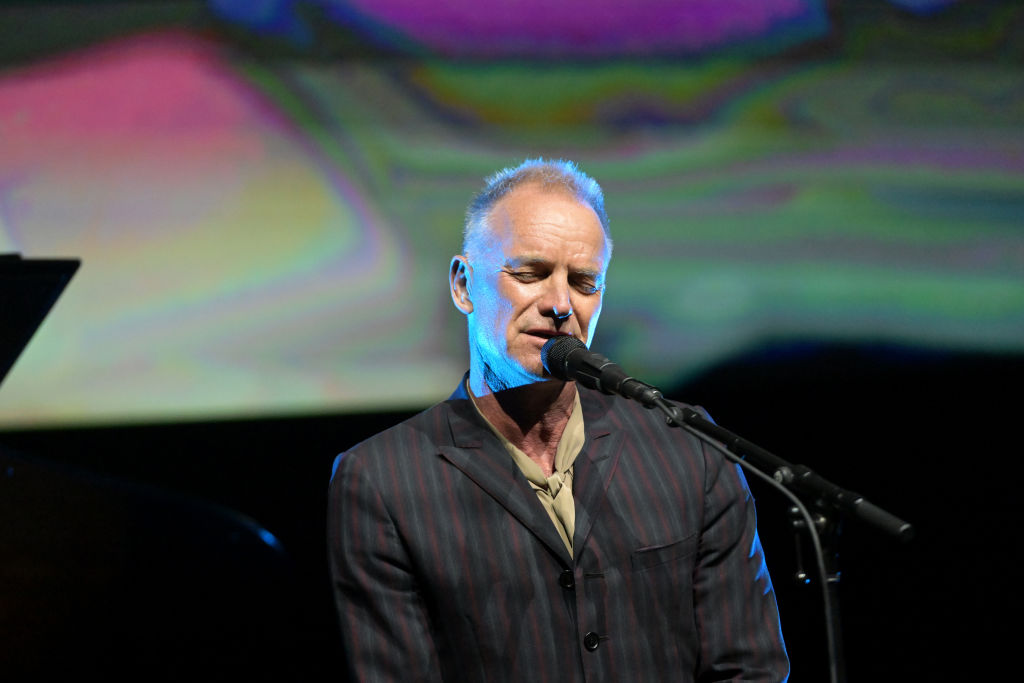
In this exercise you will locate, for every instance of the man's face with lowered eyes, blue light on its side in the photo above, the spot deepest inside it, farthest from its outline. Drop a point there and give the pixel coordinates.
(539, 273)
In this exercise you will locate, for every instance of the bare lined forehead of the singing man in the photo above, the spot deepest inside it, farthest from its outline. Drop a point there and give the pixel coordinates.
(538, 223)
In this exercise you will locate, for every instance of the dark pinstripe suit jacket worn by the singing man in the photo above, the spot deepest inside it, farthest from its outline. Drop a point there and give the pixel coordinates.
(446, 567)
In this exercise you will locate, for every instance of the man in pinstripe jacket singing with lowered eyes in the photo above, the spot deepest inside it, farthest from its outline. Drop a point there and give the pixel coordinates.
(530, 530)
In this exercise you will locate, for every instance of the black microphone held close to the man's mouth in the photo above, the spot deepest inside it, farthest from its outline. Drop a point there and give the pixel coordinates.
(569, 359)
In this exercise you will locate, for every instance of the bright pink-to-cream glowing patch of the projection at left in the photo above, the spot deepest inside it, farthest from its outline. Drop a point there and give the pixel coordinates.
(227, 266)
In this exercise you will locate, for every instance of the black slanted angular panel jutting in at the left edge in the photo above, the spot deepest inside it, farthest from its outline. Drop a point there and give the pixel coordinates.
(29, 288)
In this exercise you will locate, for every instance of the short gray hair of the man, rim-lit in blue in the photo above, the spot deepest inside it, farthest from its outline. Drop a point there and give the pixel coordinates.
(556, 175)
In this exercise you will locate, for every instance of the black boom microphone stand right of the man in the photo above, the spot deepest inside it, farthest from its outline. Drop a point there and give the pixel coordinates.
(798, 484)
